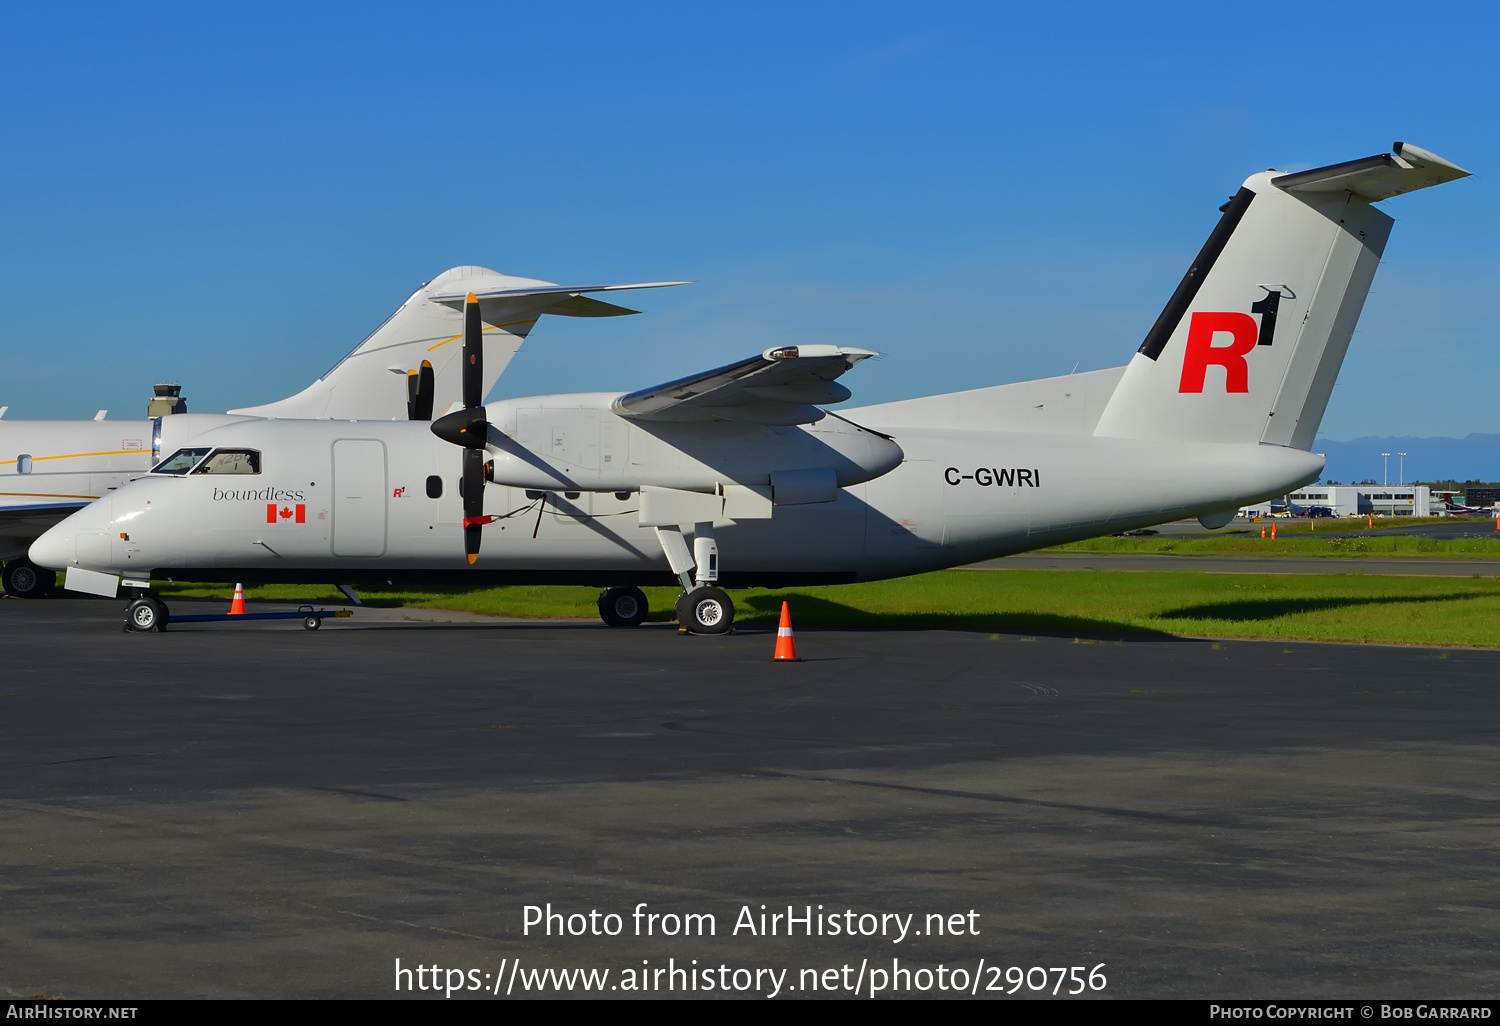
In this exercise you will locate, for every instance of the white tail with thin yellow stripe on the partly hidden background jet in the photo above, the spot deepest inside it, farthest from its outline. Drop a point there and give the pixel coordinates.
(371, 383)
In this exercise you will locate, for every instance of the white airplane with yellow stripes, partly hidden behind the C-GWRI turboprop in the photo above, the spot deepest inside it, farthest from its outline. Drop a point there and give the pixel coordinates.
(406, 370)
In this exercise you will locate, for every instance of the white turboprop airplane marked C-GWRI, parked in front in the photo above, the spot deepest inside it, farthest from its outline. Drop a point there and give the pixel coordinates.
(1217, 410)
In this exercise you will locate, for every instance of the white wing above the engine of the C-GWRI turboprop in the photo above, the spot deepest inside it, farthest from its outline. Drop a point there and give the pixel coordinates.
(782, 386)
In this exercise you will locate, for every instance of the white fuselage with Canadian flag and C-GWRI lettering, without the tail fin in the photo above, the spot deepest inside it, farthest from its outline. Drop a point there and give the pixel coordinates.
(374, 502)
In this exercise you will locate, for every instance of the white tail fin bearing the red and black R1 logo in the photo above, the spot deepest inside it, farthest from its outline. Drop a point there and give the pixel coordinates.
(1249, 347)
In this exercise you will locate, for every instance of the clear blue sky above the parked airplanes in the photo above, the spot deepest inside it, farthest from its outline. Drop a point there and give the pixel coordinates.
(232, 199)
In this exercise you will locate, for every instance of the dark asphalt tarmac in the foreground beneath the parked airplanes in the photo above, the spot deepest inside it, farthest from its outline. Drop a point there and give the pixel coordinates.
(257, 811)
